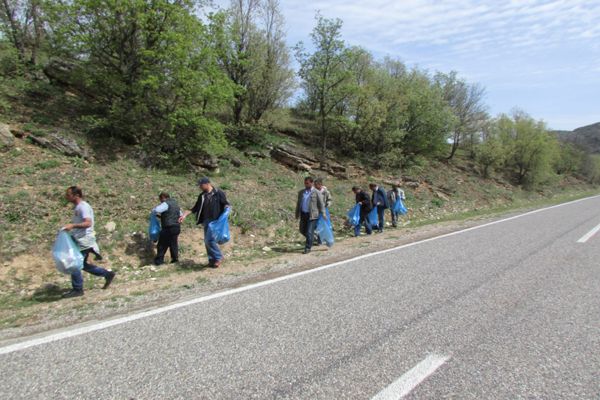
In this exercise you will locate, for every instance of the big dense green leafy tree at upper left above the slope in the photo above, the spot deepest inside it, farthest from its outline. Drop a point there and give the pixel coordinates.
(151, 70)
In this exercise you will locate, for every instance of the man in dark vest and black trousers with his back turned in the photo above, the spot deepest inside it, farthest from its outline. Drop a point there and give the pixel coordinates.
(169, 213)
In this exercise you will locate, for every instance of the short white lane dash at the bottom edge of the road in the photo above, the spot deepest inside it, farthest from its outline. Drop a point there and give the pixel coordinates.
(410, 380)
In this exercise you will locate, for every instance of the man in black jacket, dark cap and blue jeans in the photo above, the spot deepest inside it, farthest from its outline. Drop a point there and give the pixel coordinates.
(210, 205)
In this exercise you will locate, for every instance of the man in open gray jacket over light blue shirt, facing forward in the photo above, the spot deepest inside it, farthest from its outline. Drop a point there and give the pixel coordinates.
(309, 206)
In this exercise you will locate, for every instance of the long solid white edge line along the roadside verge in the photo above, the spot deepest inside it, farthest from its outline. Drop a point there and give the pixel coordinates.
(70, 332)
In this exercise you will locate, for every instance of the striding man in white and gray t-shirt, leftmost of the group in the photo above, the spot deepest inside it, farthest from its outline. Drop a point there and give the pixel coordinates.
(82, 230)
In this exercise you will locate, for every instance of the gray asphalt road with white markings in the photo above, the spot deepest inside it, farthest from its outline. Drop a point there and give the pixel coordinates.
(511, 310)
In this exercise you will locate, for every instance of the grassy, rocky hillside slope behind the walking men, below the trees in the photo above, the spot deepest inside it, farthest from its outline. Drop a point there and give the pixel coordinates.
(261, 190)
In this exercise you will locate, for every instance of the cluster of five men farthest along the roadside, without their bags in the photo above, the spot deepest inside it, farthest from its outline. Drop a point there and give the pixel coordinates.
(315, 199)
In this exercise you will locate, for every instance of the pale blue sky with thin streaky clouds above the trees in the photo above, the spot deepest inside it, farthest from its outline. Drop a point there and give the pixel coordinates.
(539, 56)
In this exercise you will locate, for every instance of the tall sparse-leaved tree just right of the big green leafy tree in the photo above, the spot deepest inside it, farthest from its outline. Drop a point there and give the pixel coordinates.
(250, 39)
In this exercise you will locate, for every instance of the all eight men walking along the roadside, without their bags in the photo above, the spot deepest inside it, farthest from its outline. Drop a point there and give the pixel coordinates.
(313, 202)
